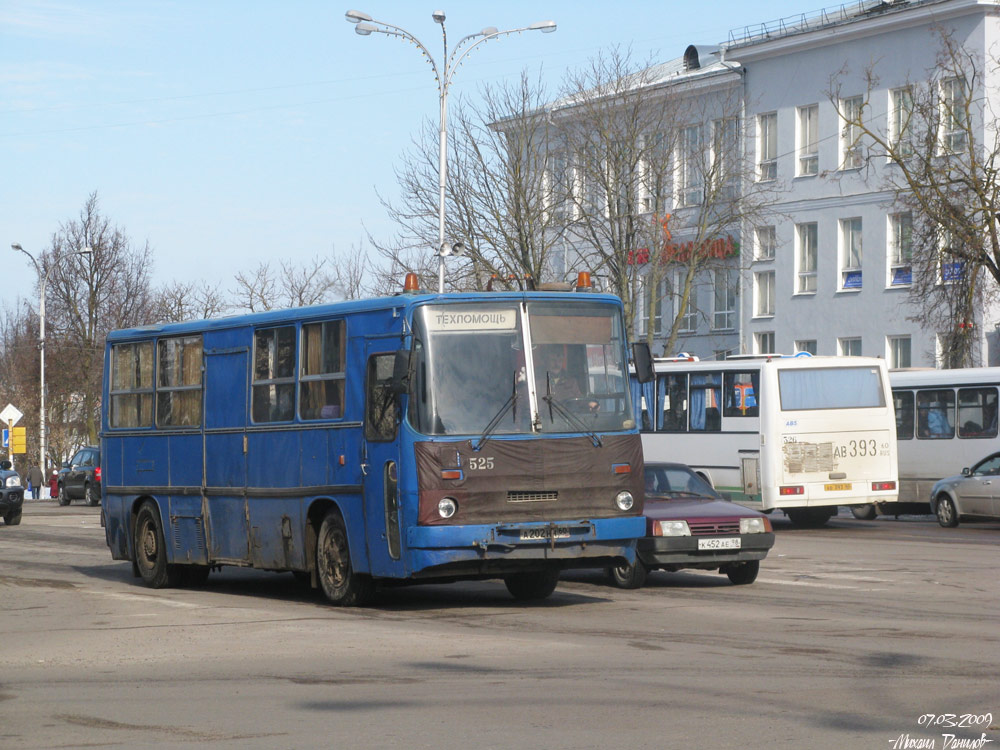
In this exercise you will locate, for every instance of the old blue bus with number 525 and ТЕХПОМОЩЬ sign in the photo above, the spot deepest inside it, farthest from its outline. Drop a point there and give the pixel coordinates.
(420, 437)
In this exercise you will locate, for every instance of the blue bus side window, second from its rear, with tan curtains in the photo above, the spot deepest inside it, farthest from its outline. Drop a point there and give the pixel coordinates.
(178, 382)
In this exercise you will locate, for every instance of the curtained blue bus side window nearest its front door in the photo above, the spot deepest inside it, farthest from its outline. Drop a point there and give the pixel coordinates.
(323, 364)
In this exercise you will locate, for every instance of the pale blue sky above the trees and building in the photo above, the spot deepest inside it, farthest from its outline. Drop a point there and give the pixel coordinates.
(226, 133)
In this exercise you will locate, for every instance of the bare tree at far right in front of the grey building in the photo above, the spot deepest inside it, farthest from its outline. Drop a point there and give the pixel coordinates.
(941, 138)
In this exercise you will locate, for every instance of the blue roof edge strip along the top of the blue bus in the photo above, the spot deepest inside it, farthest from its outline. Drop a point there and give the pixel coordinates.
(337, 309)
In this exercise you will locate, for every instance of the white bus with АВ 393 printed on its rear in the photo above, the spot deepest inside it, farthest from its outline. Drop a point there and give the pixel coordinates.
(803, 434)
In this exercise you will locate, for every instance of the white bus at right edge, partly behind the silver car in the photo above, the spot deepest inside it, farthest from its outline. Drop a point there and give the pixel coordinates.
(945, 420)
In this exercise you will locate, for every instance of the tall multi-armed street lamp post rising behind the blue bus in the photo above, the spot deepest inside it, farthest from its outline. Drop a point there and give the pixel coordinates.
(365, 25)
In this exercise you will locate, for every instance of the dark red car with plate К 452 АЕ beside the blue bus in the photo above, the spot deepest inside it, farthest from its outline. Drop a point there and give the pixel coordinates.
(690, 525)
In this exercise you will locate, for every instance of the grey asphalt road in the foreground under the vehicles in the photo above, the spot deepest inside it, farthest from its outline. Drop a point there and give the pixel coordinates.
(851, 636)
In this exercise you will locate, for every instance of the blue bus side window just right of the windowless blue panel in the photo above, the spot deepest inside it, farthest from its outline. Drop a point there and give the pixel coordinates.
(273, 395)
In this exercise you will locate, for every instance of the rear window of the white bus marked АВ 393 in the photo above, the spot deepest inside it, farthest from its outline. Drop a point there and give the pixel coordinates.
(830, 388)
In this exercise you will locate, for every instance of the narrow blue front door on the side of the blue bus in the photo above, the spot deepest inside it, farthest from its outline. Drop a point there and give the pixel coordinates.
(381, 468)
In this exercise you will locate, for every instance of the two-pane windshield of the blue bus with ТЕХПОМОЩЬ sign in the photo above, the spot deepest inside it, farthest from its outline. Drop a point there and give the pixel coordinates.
(469, 368)
